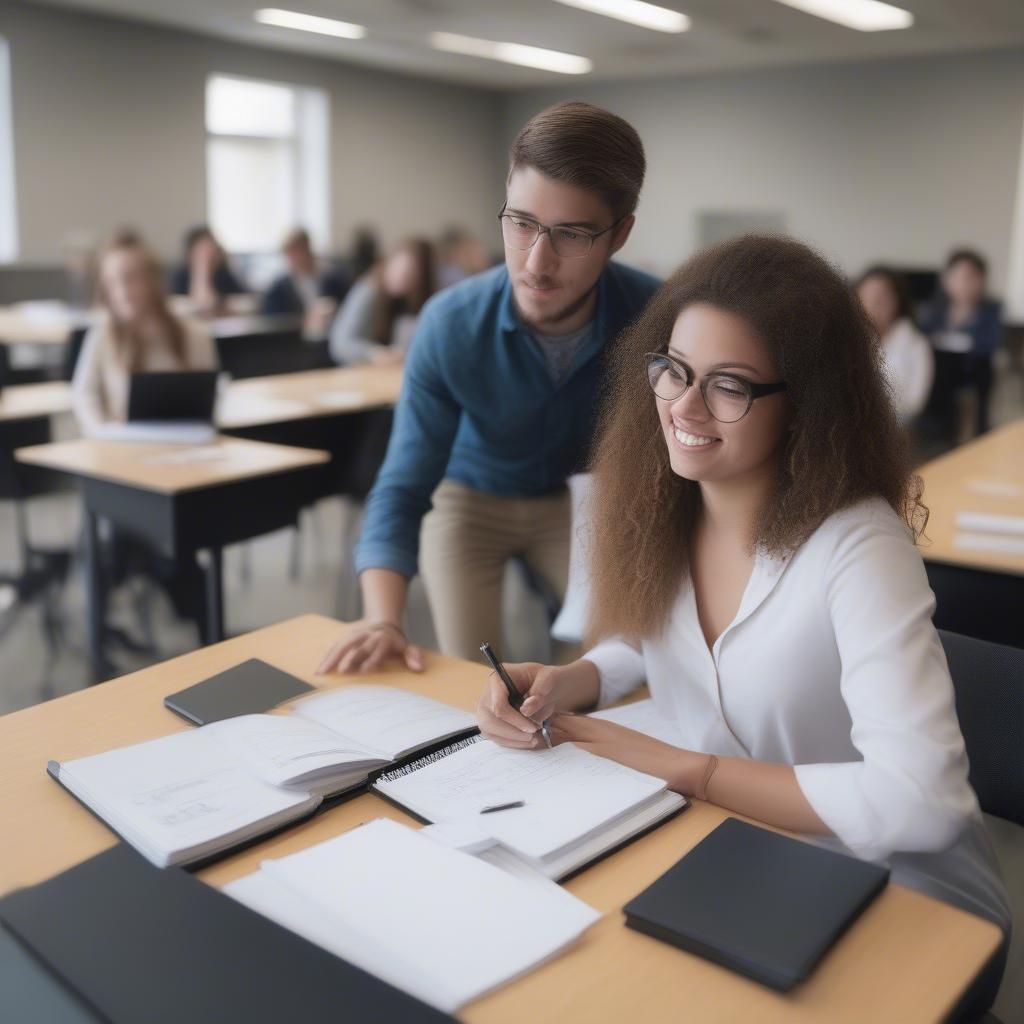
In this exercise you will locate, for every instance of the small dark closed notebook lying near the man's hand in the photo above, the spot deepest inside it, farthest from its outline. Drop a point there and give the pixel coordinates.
(248, 689)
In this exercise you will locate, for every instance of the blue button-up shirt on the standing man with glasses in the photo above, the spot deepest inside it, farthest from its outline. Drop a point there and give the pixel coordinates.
(479, 406)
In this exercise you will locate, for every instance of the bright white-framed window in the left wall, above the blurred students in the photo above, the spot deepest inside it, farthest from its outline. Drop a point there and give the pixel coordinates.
(267, 162)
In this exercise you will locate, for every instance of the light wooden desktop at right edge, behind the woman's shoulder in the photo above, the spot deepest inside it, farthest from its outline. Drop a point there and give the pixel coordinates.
(985, 476)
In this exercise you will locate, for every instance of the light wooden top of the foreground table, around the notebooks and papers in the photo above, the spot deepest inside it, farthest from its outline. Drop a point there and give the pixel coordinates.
(907, 960)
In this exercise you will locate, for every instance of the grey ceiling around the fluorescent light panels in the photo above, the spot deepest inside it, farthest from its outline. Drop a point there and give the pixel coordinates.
(727, 35)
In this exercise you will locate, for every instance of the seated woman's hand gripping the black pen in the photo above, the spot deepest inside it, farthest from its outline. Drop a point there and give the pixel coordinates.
(549, 690)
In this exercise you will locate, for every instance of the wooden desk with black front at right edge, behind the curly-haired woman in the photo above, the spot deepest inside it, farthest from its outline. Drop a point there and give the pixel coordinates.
(980, 590)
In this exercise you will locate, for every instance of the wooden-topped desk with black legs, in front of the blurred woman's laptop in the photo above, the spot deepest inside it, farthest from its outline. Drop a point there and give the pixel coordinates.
(182, 499)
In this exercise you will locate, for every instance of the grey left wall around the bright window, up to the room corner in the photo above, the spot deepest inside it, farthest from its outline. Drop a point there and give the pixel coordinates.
(109, 131)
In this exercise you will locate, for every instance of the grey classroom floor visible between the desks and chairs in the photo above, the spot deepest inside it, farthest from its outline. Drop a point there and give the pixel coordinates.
(261, 588)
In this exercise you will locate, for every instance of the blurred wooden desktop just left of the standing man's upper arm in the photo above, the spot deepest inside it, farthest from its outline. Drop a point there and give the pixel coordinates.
(262, 401)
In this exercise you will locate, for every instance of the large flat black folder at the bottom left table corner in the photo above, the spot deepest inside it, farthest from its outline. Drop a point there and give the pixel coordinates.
(137, 944)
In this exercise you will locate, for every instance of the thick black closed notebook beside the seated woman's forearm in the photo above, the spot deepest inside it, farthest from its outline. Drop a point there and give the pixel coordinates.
(757, 903)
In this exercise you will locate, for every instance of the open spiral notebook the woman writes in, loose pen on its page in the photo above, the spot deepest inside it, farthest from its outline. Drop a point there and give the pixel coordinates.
(577, 807)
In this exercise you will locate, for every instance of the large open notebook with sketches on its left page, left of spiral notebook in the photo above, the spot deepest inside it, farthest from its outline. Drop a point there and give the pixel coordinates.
(190, 796)
